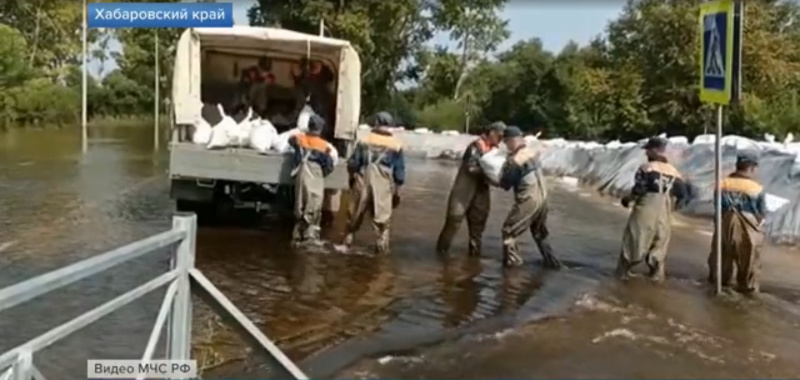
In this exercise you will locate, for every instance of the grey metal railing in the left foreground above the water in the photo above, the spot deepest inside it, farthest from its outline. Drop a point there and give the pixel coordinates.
(176, 310)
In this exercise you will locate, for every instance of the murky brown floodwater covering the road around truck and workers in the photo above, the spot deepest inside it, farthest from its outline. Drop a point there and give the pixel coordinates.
(409, 314)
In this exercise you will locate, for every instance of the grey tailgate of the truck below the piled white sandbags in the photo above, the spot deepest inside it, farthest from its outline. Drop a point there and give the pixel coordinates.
(188, 160)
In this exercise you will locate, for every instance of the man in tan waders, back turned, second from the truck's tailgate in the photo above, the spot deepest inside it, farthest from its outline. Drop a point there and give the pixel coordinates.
(377, 170)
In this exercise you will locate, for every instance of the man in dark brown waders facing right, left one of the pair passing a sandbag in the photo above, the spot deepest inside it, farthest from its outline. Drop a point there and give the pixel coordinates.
(469, 195)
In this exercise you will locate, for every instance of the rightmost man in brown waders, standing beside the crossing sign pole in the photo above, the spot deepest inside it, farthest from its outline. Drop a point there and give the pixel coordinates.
(743, 211)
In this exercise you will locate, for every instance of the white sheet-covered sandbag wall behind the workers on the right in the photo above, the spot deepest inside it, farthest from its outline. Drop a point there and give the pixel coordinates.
(611, 172)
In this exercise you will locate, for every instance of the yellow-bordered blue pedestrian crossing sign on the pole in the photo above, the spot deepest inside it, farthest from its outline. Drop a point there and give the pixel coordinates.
(717, 51)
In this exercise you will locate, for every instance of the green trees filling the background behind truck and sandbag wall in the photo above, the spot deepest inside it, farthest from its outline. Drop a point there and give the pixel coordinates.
(639, 78)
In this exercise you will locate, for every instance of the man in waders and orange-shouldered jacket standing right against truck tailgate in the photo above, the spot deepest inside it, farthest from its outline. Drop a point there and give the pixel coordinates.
(313, 162)
